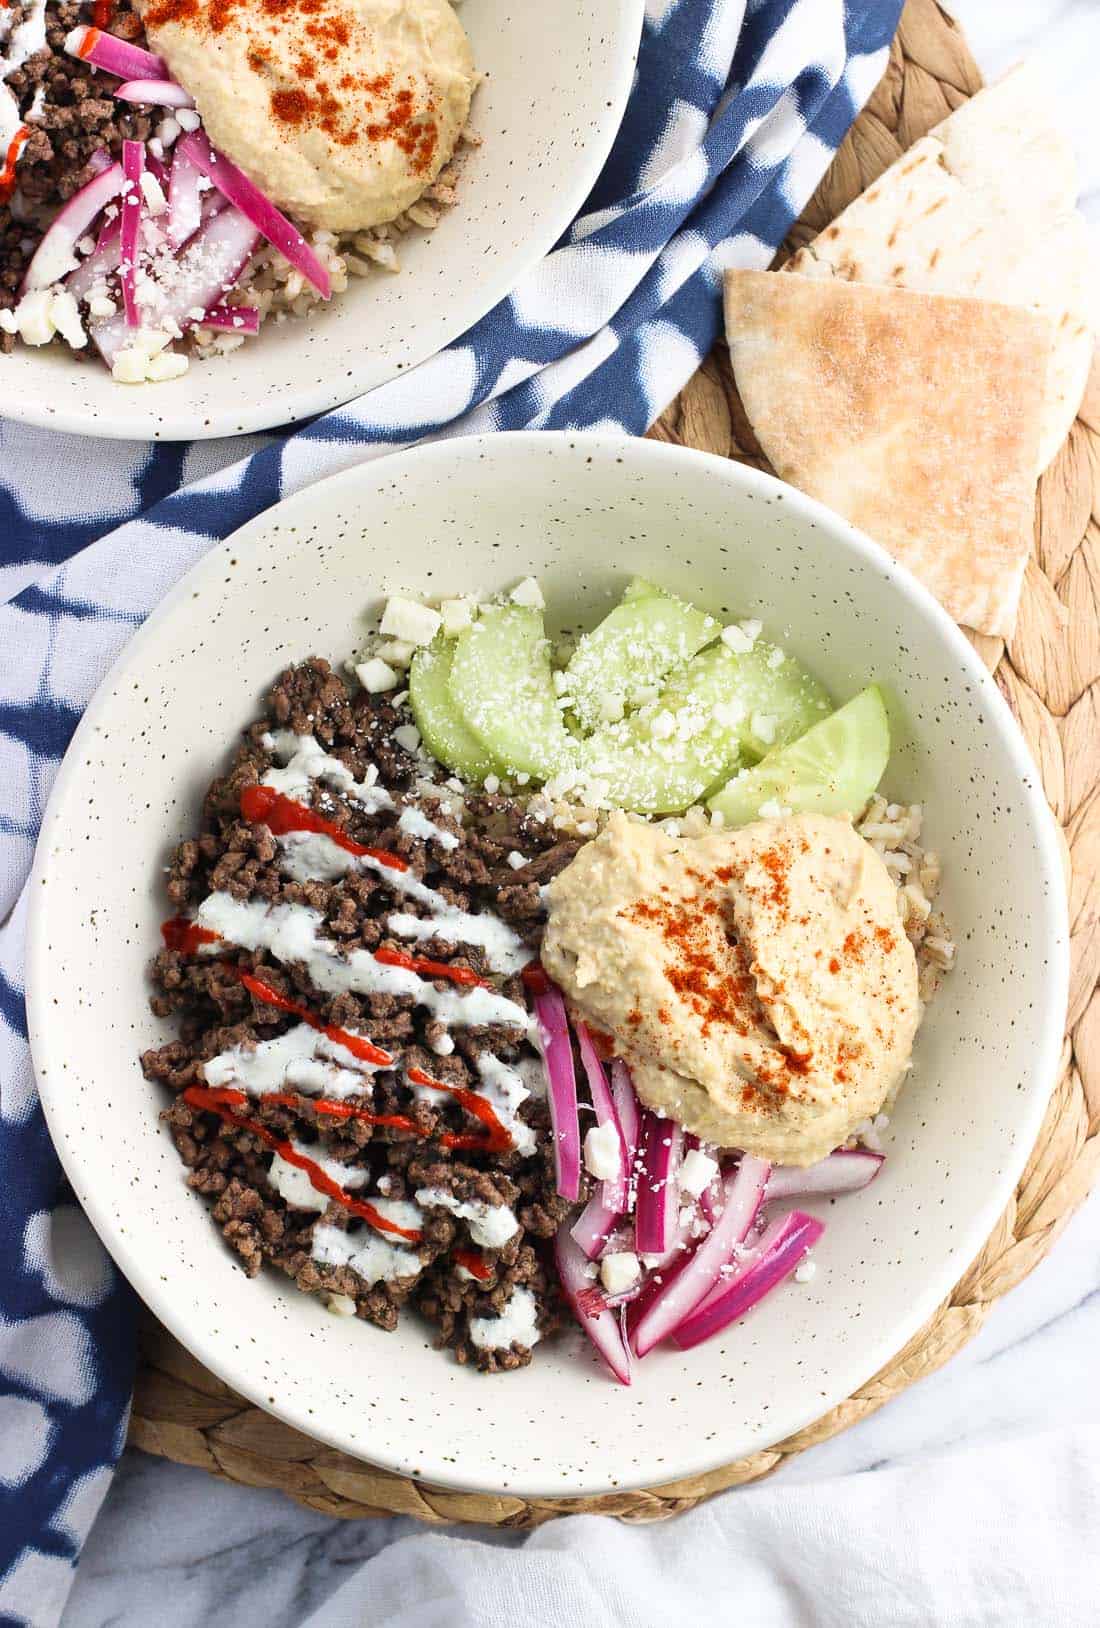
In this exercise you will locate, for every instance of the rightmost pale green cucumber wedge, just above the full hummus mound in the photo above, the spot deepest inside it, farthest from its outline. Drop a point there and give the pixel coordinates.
(832, 769)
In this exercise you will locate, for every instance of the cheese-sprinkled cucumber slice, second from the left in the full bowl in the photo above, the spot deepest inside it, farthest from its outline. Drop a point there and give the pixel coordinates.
(502, 686)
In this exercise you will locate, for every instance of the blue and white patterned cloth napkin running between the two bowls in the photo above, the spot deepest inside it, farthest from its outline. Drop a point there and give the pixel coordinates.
(736, 112)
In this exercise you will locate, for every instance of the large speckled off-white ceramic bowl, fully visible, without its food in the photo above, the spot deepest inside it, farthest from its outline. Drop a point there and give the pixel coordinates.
(582, 514)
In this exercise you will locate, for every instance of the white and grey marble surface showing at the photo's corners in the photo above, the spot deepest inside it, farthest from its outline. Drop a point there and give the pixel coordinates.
(198, 1547)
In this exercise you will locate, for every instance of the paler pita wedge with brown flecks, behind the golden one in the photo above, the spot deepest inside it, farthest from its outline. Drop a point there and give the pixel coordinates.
(984, 206)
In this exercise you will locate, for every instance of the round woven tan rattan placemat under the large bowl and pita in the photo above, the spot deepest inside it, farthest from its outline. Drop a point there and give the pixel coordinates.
(1050, 676)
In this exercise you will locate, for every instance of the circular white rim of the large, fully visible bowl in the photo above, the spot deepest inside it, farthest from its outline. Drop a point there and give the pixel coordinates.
(850, 1373)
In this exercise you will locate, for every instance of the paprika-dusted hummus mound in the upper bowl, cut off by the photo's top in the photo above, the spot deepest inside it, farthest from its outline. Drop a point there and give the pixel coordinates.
(341, 112)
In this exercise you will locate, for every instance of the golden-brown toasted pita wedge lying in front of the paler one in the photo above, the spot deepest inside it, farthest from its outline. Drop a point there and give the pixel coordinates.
(915, 416)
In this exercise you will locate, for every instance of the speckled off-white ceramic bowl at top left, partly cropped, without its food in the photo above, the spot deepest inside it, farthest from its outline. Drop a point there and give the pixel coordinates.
(557, 76)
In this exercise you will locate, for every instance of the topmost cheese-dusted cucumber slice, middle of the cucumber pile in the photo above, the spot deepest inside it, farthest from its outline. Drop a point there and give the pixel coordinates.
(618, 665)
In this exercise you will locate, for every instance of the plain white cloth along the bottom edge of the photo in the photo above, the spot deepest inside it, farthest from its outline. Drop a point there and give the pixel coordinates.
(962, 1541)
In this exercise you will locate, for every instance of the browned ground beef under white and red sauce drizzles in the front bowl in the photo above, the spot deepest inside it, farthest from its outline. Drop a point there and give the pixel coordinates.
(214, 1012)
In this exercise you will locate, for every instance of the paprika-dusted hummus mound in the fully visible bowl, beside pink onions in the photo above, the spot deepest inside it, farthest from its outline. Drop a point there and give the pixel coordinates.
(759, 982)
